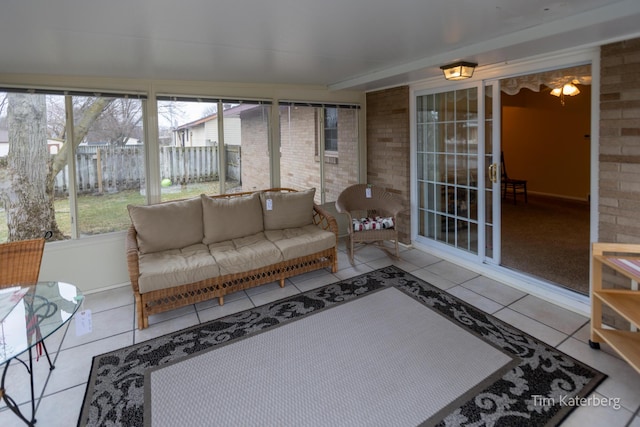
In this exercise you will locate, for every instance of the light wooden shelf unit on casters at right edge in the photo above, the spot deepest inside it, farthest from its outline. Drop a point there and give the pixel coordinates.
(625, 259)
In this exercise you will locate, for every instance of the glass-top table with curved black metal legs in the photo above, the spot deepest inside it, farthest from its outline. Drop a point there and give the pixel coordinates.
(28, 315)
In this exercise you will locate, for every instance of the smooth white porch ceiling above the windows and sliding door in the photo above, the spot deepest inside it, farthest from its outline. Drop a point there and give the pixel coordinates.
(341, 44)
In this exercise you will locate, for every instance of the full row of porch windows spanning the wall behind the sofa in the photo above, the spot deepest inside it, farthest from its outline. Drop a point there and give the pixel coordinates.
(70, 163)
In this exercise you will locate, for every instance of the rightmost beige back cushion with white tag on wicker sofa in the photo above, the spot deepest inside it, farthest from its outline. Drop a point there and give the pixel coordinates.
(287, 210)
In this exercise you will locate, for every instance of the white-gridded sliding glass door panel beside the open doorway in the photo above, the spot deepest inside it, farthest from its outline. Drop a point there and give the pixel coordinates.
(454, 169)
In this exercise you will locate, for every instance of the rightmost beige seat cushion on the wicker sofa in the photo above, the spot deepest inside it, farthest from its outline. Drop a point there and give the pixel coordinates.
(303, 241)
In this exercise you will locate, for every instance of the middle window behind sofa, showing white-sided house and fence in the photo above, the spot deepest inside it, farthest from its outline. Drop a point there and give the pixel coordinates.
(212, 146)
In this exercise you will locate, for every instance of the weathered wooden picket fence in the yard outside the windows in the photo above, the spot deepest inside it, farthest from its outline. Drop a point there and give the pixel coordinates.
(113, 169)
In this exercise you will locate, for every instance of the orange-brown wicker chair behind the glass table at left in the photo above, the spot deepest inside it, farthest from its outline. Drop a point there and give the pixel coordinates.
(20, 266)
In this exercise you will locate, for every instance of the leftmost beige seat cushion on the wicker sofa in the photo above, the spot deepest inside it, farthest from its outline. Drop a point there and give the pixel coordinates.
(166, 269)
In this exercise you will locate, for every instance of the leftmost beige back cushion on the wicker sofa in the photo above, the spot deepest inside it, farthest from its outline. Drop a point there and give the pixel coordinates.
(169, 225)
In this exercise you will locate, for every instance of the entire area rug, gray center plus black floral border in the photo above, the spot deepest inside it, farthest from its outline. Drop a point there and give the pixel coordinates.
(387, 358)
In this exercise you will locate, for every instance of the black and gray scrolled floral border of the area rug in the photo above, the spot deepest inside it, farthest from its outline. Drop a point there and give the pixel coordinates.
(535, 392)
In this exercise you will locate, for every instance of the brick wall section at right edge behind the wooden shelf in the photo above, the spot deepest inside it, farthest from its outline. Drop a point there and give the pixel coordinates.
(619, 152)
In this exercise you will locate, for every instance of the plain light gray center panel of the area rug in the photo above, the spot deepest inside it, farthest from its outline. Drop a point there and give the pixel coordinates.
(383, 359)
